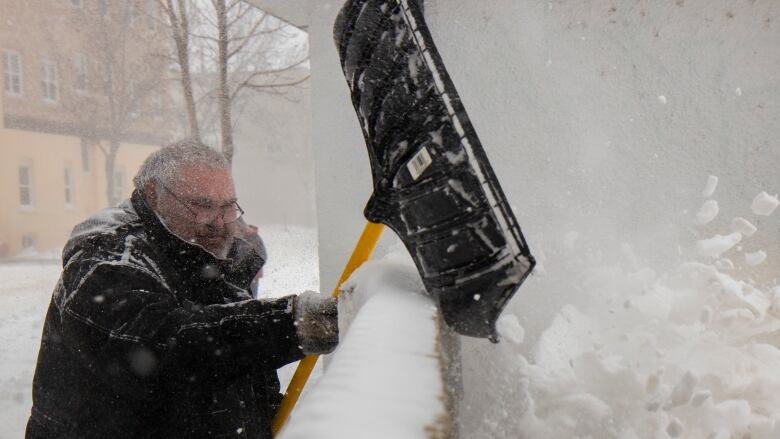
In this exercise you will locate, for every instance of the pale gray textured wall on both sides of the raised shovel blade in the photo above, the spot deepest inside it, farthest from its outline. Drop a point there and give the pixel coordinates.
(566, 97)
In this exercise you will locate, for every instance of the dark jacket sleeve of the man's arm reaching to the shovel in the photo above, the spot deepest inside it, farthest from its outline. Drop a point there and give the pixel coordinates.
(127, 325)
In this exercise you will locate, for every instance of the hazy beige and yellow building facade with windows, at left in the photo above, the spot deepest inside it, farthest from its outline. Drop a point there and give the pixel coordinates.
(83, 102)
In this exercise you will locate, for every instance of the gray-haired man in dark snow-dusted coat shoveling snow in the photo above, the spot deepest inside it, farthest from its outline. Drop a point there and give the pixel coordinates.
(151, 332)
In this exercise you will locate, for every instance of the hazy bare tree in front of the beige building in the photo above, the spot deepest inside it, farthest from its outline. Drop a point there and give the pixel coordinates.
(125, 81)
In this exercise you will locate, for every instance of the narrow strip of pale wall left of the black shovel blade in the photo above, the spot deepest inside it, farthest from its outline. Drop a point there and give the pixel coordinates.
(342, 172)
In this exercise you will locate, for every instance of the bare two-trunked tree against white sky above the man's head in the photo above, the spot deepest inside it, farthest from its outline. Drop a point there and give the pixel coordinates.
(238, 49)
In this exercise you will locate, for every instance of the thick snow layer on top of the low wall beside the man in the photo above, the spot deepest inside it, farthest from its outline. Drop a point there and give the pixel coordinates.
(384, 380)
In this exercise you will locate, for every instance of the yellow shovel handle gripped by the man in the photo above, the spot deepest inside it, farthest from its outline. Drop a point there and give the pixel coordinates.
(360, 254)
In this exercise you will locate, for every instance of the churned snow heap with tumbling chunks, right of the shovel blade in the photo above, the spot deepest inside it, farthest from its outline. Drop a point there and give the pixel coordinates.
(692, 352)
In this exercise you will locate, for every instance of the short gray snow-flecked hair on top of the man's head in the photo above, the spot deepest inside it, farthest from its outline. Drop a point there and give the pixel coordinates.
(161, 165)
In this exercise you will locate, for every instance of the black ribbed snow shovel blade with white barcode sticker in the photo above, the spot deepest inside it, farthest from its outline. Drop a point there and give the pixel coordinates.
(433, 185)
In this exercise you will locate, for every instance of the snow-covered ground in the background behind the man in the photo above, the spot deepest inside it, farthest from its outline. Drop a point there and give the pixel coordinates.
(25, 289)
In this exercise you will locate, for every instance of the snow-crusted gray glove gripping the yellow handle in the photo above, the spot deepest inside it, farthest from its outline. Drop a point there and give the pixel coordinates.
(317, 322)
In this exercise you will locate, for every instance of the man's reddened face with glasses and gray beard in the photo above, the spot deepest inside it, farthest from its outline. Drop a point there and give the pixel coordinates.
(196, 193)
